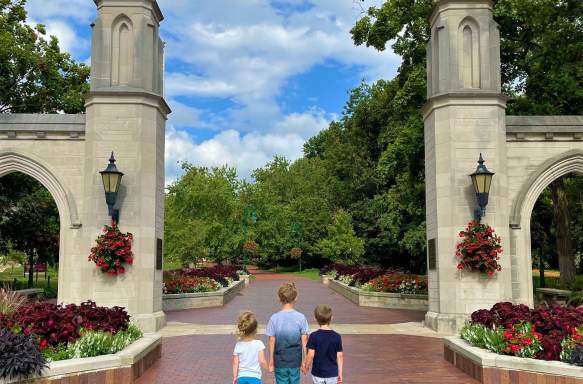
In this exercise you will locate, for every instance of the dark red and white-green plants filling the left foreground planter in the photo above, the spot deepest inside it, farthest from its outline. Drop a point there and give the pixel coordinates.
(35, 334)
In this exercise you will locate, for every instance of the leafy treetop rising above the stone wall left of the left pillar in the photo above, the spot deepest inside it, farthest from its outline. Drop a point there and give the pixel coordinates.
(35, 76)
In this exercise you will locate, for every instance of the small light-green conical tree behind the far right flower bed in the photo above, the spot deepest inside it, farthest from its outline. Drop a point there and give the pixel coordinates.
(341, 244)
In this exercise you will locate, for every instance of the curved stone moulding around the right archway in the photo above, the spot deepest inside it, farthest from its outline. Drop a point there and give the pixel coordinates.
(560, 165)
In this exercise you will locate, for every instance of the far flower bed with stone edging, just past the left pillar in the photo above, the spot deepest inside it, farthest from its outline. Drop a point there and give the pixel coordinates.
(200, 287)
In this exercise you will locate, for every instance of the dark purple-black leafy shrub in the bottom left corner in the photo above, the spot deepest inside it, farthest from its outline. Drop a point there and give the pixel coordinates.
(20, 356)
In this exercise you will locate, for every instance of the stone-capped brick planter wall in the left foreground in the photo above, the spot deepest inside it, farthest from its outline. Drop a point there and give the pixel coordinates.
(123, 367)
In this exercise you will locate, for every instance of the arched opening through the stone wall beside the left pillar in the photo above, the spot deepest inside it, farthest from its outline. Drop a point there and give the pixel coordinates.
(30, 228)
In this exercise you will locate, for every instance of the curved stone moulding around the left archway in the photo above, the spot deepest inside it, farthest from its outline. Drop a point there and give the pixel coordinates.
(16, 161)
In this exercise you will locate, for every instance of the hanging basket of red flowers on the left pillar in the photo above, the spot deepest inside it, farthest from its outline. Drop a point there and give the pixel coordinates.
(112, 250)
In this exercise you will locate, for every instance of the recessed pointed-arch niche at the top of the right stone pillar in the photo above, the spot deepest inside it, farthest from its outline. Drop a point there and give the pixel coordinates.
(469, 53)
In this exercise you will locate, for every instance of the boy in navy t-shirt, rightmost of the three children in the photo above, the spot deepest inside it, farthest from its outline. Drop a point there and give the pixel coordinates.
(325, 350)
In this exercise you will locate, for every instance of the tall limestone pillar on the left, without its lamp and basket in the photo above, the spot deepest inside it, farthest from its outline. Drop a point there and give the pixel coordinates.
(126, 113)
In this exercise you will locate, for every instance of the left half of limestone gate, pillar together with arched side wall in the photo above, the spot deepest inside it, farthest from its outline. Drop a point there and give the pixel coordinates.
(125, 113)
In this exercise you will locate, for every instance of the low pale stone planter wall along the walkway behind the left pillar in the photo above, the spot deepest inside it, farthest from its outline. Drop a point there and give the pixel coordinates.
(180, 301)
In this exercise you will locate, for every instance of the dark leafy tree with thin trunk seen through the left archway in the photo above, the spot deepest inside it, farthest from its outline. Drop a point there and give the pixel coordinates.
(29, 220)
